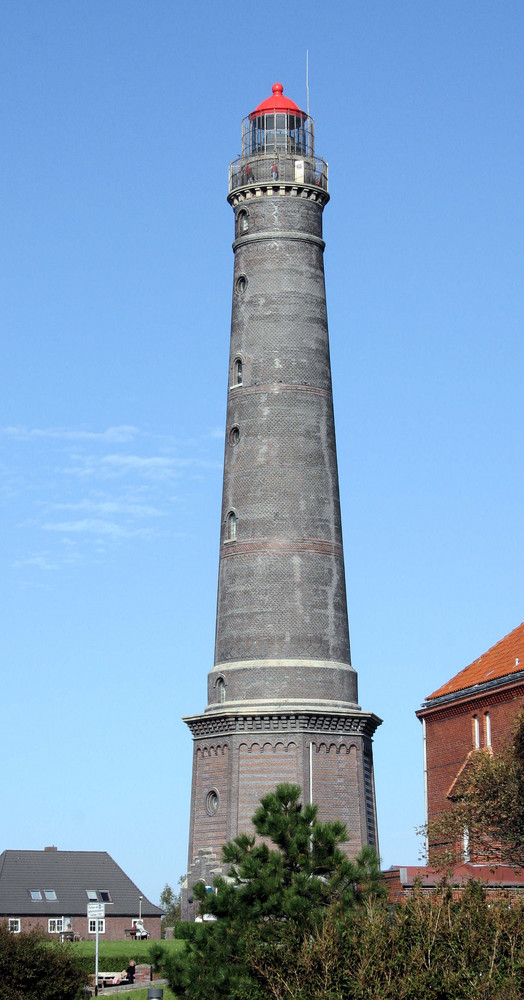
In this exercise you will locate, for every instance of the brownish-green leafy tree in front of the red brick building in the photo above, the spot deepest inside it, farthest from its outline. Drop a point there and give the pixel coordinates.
(488, 802)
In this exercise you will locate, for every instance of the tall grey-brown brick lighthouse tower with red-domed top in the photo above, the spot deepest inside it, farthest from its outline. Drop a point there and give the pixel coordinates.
(282, 695)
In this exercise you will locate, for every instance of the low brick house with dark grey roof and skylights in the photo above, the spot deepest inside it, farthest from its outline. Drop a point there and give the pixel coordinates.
(51, 889)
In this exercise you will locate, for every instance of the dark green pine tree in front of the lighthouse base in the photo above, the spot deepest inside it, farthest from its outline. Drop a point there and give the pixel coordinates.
(288, 875)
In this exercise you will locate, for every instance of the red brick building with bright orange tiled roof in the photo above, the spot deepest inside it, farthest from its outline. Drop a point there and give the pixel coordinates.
(475, 710)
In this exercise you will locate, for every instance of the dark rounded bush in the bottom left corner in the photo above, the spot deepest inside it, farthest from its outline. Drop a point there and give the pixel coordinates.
(33, 969)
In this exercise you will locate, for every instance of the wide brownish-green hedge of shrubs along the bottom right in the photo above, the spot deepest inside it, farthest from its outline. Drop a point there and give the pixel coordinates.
(435, 946)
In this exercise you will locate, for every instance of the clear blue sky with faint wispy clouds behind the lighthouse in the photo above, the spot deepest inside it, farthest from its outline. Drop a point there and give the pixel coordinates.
(119, 119)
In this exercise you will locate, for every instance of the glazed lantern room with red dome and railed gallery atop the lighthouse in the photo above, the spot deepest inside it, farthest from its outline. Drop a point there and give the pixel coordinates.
(278, 145)
